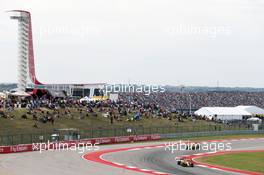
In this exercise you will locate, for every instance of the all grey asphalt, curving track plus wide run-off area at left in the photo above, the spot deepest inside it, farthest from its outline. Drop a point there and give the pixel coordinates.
(72, 162)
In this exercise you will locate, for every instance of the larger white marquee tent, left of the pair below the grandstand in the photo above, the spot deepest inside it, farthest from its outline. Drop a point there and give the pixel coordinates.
(222, 113)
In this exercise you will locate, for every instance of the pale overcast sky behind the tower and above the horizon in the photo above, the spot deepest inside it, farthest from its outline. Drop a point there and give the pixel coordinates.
(113, 41)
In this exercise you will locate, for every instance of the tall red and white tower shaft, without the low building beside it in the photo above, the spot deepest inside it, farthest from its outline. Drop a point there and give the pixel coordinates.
(26, 66)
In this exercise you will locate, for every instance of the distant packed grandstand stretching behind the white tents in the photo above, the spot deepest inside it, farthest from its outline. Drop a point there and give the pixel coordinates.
(177, 101)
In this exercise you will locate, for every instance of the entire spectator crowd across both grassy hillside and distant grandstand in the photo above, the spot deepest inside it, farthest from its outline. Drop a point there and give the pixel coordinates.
(136, 105)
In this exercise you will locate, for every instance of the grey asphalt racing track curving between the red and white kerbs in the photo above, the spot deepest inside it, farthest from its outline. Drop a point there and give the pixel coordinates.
(164, 161)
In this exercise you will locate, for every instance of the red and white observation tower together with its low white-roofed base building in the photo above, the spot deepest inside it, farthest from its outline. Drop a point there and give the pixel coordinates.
(26, 66)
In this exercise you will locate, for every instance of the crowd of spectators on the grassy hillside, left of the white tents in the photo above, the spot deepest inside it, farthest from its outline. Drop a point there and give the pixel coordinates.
(72, 108)
